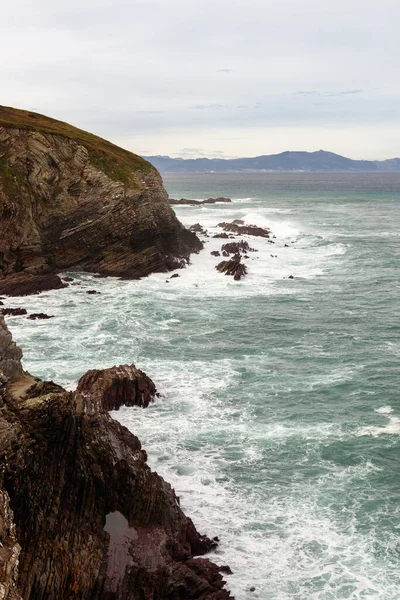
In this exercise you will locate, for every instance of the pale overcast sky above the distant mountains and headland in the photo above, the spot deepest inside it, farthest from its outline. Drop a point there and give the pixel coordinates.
(216, 78)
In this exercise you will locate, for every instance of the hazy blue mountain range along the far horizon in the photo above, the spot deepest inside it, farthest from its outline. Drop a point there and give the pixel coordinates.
(320, 161)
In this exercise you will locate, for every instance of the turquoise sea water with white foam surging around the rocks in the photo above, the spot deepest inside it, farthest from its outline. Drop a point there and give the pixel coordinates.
(279, 421)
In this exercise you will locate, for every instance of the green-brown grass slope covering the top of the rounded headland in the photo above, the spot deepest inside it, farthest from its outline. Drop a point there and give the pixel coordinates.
(116, 162)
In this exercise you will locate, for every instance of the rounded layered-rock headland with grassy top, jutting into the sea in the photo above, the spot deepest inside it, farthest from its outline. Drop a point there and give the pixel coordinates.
(71, 200)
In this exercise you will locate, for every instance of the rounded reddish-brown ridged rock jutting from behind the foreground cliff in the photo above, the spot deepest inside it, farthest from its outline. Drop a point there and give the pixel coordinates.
(124, 385)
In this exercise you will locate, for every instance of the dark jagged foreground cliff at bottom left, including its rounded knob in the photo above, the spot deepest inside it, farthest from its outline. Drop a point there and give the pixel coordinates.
(81, 514)
